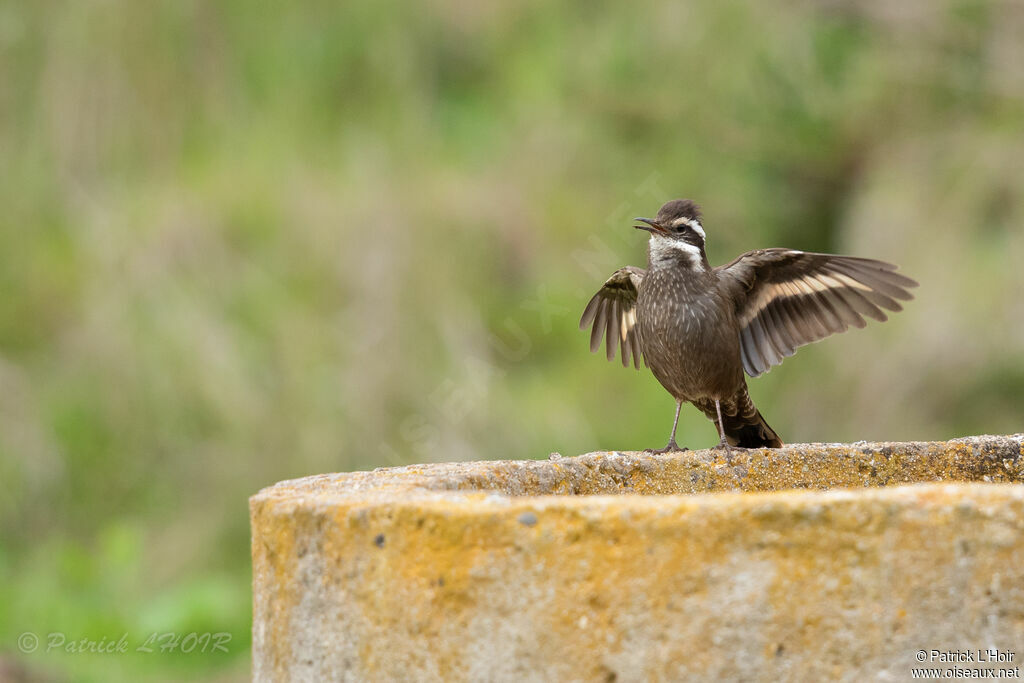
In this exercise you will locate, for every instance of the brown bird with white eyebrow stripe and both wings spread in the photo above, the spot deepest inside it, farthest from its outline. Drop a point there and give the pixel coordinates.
(700, 329)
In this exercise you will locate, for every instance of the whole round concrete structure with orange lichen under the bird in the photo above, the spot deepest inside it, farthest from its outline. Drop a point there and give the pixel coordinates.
(629, 567)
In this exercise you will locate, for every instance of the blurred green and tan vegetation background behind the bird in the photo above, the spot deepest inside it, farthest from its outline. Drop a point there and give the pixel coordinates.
(245, 243)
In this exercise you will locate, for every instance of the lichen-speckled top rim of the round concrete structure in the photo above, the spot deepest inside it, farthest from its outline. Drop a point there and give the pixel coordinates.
(813, 466)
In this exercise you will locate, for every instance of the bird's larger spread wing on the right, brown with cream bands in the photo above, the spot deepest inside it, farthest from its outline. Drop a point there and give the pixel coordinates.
(787, 298)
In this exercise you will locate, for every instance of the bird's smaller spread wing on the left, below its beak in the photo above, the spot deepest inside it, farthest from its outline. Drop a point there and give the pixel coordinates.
(614, 315)
